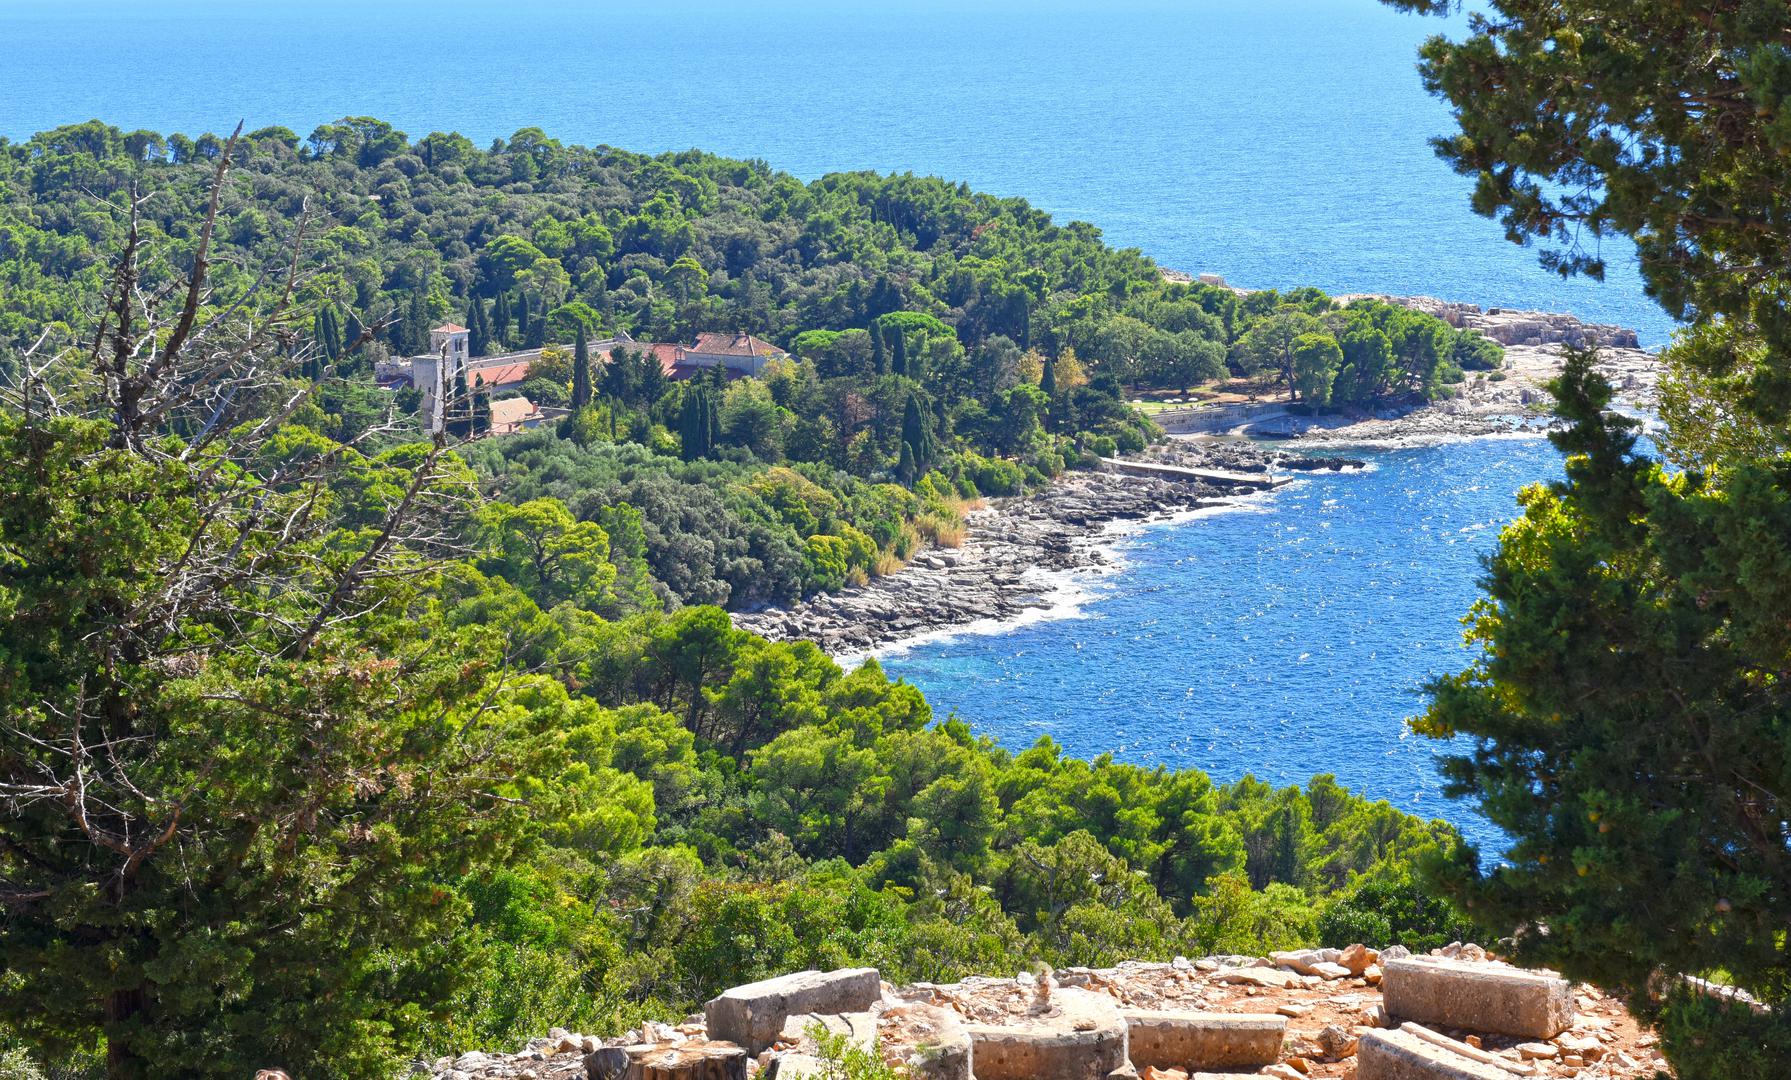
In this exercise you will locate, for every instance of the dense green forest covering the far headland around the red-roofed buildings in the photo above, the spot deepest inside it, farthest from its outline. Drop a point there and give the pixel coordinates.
(948, 345)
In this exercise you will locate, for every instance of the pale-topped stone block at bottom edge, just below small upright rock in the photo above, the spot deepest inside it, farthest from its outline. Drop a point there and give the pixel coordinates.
(1081, 1038)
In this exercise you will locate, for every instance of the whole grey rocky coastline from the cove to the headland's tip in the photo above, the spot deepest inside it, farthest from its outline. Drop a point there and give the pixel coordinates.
(1027, 556)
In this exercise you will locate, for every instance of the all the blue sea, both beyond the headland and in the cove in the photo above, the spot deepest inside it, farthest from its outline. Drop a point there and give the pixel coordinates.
(1274, 144)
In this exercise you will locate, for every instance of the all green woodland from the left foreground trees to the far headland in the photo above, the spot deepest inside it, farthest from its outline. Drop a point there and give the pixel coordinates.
(334, 746)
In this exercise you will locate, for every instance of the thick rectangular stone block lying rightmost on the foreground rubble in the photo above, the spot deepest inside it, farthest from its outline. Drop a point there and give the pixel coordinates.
(1477, 997)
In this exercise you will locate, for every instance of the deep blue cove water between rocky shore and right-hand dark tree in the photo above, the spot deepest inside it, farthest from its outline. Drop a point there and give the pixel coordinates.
(1285, 639)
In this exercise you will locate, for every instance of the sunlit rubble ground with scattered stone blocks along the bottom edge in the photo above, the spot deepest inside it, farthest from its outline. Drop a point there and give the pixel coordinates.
(1323, 1015)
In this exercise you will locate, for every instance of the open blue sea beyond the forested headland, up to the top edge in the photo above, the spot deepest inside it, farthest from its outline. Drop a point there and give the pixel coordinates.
(1278, 144)
